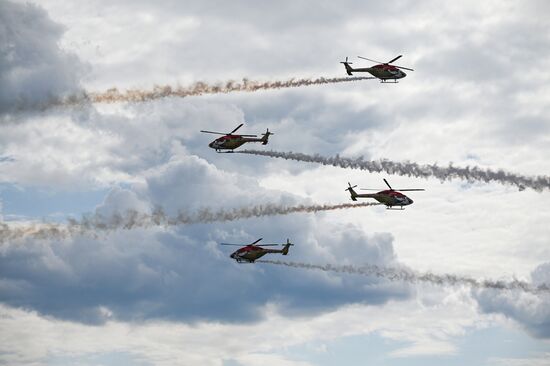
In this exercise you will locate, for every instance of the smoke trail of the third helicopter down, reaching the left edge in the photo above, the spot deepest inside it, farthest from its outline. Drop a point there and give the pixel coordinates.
(93, 224)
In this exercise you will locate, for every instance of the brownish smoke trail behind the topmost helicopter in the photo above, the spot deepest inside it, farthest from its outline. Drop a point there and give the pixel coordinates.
(139, 95)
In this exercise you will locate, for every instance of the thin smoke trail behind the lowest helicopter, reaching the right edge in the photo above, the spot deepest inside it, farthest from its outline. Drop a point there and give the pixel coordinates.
(406, 275)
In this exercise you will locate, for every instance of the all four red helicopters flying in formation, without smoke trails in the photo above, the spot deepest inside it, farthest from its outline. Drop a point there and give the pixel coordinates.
(228, 142)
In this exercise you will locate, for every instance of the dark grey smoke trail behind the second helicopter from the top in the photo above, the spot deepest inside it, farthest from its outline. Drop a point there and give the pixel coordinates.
(538, 183)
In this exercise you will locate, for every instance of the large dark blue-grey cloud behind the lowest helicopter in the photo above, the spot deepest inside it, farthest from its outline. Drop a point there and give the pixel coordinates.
(184, 276)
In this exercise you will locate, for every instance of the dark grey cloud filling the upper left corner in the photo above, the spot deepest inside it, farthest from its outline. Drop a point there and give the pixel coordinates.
(34, 70)
